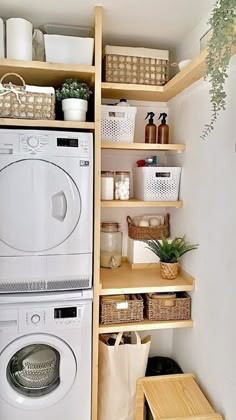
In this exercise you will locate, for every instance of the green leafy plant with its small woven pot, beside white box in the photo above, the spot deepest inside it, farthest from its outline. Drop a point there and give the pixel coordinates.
(169, 254)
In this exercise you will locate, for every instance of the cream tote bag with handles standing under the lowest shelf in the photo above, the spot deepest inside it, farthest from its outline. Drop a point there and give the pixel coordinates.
(119, 368)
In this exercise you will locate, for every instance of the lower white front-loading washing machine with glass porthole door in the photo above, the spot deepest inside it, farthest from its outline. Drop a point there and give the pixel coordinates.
(45, 356)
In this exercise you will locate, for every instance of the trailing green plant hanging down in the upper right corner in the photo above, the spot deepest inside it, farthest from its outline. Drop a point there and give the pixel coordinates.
(223, 39)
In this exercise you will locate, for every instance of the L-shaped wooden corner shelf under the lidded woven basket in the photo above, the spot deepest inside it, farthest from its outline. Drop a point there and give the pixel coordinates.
(185, 78)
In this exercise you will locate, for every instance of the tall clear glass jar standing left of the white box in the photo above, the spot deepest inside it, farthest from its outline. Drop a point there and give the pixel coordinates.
(111, 245)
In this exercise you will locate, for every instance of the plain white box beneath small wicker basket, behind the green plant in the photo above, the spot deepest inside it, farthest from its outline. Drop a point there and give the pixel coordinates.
(137, 253)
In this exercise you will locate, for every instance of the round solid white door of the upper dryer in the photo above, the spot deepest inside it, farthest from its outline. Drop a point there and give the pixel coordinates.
(40, 205)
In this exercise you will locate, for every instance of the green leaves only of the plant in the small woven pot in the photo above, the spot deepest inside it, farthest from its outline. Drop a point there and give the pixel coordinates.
(170, 252)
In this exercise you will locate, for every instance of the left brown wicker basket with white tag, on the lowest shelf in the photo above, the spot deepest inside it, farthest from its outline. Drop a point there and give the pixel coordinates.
(112, 312)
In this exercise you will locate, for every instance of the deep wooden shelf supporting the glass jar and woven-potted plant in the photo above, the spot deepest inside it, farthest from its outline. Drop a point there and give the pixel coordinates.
(126, 280)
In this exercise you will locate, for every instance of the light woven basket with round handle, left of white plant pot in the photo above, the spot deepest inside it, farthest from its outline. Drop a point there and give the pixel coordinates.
(18, 102)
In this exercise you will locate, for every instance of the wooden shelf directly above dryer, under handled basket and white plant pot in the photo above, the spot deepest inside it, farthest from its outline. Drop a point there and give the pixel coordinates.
(47, 123)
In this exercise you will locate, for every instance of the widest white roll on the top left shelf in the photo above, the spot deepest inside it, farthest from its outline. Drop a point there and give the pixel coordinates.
(19, 39)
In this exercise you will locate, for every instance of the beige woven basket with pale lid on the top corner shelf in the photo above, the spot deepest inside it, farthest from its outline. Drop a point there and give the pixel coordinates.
(136, 65)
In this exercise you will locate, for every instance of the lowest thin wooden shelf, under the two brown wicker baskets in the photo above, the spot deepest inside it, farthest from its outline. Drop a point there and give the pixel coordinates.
(145, 325)
